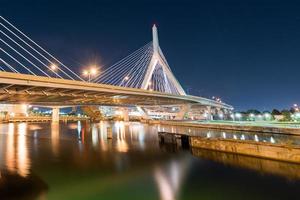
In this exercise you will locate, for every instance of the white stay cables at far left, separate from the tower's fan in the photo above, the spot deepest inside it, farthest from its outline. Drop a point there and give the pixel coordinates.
(20, 54)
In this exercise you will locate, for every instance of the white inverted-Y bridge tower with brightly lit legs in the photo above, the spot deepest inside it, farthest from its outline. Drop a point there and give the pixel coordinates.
(158, 60)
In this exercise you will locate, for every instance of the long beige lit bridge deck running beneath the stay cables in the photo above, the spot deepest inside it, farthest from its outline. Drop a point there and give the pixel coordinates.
(38, 90)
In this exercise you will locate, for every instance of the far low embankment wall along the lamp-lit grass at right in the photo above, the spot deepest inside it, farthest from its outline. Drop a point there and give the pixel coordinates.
(278, 128)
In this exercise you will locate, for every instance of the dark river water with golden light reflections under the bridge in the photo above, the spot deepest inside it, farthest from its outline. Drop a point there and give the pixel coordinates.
(77, 161)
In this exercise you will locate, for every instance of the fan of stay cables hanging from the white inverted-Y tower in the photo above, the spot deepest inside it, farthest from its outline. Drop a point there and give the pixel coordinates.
(131, 72)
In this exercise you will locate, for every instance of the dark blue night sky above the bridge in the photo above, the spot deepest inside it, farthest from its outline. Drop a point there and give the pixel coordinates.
(246, 52)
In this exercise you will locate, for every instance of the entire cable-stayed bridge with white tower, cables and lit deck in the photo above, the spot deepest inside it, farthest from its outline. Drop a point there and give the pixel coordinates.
(142, 79)
